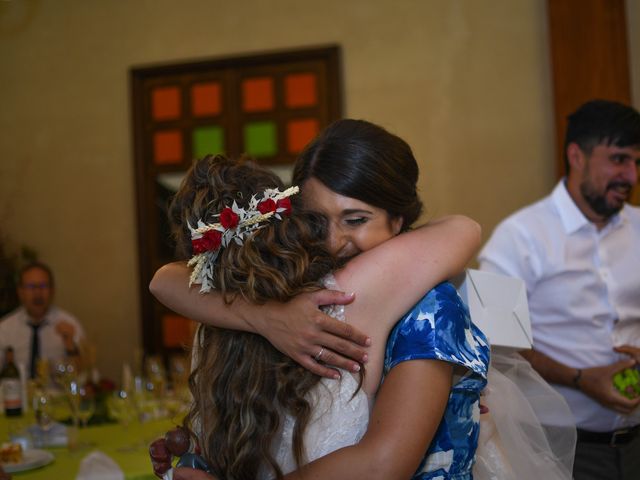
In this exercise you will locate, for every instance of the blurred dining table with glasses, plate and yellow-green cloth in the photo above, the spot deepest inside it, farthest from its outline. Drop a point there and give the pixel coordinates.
(76, 426)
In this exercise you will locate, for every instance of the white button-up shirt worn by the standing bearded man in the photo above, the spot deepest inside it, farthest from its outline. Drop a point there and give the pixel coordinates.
(583, 288)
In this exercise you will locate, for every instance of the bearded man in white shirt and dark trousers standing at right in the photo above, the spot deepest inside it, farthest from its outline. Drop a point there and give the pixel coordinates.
(578, 251)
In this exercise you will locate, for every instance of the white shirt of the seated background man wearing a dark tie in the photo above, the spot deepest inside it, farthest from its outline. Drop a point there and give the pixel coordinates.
(15, 332)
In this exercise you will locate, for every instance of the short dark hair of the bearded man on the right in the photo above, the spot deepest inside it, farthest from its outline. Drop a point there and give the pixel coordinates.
(602, 122)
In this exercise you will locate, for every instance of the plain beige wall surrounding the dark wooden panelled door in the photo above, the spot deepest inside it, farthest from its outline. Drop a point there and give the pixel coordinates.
(466, 82)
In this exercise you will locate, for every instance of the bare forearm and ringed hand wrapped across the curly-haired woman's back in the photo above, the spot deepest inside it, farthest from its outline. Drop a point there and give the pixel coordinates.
(297, 328)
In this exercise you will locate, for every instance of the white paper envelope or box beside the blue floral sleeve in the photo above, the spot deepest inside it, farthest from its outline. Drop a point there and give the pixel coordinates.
(498, 306)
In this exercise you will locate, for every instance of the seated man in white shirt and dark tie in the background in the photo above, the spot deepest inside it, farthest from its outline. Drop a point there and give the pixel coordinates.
(37, 329)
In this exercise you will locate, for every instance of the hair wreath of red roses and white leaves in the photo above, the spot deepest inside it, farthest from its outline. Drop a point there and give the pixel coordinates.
(234, 224)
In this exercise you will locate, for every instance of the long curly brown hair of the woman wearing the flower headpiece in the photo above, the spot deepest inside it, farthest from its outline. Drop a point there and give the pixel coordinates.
(242, 385)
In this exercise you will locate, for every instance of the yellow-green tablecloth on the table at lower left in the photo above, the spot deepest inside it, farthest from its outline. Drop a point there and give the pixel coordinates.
(127, 447)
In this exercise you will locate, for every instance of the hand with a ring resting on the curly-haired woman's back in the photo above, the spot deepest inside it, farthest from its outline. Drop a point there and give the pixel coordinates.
(312, 338)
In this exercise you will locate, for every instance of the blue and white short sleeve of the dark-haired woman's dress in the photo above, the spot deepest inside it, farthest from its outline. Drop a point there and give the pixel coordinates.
(439, 328)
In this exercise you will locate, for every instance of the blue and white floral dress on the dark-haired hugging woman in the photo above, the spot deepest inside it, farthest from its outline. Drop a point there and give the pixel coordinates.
(439, 328)
